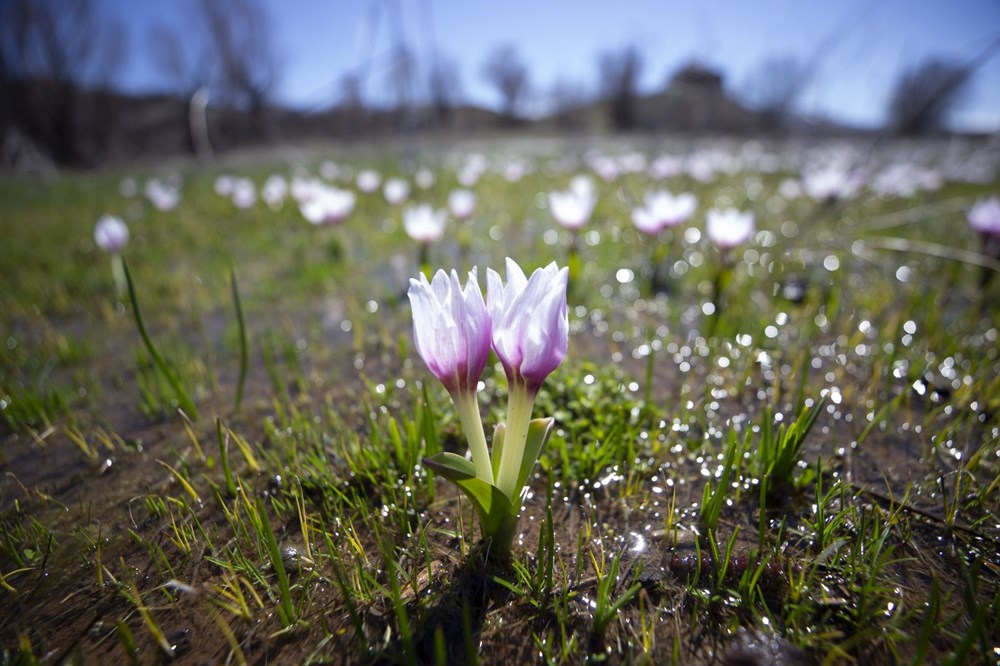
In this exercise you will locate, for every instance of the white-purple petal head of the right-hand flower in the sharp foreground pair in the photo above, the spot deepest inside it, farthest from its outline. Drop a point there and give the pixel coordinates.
(530, 325)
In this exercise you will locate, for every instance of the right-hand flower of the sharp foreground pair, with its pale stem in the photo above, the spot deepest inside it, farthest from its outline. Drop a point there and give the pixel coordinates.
(530, 337)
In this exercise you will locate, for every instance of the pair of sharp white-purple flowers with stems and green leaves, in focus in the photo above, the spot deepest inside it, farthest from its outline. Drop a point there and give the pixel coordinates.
(525, 322)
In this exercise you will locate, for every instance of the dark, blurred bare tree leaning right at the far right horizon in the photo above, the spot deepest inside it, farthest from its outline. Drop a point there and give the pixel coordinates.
(925, 95)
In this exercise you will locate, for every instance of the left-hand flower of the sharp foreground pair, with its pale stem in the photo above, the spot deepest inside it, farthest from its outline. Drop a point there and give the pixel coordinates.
(451, 330)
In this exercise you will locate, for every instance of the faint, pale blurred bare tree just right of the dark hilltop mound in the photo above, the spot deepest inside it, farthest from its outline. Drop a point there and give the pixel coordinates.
(775, 87)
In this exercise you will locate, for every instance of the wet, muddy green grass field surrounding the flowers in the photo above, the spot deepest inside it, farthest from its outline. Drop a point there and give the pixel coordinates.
(809, 473)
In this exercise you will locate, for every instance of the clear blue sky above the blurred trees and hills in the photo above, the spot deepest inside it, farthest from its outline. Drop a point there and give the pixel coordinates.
(869, 42)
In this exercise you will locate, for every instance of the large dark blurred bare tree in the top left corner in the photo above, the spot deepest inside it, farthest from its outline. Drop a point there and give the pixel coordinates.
(57, 60)
